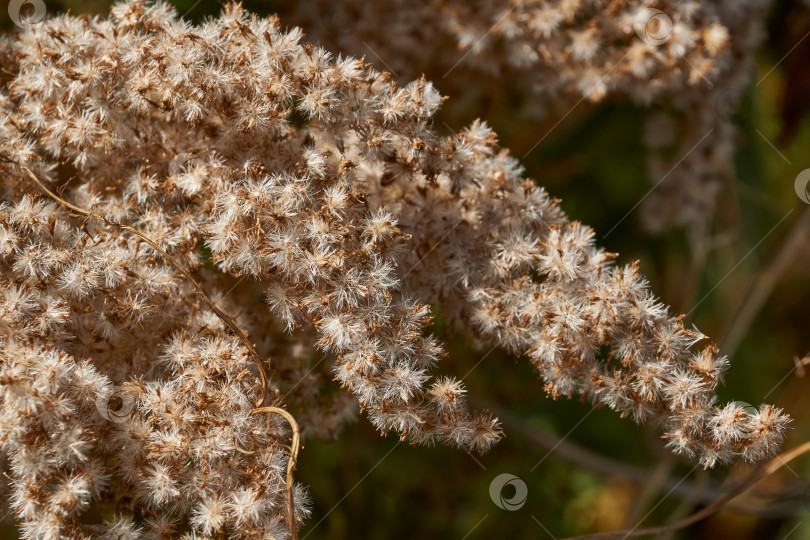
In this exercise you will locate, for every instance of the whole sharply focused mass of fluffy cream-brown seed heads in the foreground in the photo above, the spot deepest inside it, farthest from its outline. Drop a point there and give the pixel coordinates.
(319, 182)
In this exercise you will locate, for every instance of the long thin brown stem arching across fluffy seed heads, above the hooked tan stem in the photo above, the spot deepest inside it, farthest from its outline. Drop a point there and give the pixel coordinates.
(224, 317)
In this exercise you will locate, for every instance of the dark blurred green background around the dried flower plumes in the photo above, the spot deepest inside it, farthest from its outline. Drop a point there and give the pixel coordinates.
(366, 486)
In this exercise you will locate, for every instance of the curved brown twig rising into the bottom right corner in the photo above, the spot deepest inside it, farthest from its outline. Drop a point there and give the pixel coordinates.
(752, 479)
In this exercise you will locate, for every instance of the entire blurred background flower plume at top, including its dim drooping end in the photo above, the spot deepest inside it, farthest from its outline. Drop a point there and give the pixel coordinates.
(695, 56)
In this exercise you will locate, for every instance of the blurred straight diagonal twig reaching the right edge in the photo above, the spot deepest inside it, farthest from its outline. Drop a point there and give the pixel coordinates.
(764, 284)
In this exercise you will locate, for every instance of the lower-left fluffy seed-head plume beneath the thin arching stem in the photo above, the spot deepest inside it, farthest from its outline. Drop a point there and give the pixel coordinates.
(83, 309)
